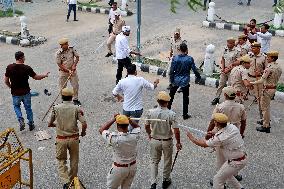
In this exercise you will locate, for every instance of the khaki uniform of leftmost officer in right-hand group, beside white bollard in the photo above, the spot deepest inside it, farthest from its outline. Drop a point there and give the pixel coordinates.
(230, 56)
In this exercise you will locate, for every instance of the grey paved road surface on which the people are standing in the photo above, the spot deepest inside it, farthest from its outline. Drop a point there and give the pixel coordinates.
(195, 166)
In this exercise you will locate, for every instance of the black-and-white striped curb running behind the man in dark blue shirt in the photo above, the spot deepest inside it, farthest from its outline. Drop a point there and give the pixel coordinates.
(206, 81)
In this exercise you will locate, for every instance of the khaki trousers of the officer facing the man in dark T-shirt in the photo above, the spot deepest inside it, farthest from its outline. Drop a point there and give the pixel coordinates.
(74, 80)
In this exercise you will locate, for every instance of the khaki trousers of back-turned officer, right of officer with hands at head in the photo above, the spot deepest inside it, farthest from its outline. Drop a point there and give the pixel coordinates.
(157, 148)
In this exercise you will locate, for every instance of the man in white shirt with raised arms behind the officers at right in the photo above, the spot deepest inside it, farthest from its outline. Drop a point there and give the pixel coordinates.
(264, 38)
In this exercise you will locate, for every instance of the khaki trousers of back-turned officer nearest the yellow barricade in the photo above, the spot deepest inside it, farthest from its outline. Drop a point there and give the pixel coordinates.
(62, 146)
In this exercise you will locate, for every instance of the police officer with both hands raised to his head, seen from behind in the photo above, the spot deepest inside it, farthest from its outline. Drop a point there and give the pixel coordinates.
(124, 144)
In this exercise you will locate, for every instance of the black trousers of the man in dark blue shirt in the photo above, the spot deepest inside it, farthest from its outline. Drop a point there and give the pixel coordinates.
(185, 93)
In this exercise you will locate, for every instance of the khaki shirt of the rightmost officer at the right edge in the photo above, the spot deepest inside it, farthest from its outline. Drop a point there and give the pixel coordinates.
(271, 74)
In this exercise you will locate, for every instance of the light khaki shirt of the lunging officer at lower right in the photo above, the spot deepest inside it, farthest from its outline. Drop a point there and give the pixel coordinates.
(230, 142)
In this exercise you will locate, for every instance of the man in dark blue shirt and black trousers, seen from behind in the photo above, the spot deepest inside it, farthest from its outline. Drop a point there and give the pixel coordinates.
(180, 77)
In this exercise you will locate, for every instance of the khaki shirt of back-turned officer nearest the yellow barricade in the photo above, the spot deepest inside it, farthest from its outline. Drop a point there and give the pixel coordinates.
(66, 116)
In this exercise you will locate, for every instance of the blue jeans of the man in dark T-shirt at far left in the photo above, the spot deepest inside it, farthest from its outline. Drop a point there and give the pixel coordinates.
(26, 99)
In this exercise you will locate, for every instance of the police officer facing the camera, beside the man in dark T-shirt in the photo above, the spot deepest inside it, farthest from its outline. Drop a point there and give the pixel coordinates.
(67, 60)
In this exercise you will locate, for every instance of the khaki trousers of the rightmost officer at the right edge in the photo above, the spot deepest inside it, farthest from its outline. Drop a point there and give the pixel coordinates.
(265, 105)
